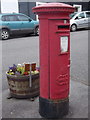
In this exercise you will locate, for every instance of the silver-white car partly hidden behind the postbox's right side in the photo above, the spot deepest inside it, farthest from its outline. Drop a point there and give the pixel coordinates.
(79, 20)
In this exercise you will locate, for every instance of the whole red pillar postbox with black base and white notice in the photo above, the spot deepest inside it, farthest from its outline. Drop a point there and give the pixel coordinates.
(54, 58)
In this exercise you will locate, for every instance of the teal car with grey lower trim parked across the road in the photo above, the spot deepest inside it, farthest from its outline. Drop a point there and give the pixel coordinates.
(15, 23)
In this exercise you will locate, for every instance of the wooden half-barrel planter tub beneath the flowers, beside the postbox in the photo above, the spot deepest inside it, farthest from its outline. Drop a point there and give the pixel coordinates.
(20, 85)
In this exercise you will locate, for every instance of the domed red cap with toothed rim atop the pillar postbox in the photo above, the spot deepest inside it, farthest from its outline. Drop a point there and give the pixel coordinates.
(53, 7)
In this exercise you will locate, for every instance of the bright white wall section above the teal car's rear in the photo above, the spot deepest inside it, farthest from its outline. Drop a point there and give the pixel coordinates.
(9, 6)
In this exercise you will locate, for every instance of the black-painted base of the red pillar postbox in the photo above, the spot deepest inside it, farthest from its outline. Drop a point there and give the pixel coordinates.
(53, 109)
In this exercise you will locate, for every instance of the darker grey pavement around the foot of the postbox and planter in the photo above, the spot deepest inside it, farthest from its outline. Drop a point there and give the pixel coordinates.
(25, 108)
